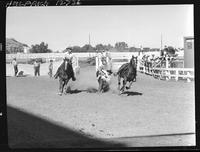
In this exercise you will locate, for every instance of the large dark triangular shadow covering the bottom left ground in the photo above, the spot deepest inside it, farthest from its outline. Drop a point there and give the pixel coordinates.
(31, 131)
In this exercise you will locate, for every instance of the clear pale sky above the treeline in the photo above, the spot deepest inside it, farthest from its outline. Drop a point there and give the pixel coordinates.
(139, 25)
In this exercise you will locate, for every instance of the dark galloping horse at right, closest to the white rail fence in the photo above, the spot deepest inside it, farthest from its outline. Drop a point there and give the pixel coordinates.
(128, 72)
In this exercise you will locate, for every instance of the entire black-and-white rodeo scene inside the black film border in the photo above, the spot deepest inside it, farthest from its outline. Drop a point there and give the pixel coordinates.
(101, 76)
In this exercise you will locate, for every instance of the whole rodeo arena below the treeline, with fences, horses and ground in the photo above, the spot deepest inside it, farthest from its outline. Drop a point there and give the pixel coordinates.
(123, 99)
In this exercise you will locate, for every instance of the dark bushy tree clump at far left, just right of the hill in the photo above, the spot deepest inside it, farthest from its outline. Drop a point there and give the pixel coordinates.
(40, 48)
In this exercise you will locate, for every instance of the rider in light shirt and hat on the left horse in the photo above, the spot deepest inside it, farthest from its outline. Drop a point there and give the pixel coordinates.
(69, 57)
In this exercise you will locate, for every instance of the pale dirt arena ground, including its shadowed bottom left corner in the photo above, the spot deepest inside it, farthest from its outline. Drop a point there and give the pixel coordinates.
(152, 113)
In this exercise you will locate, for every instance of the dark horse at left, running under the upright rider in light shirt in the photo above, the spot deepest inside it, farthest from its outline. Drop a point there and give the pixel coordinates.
(64, 74)
